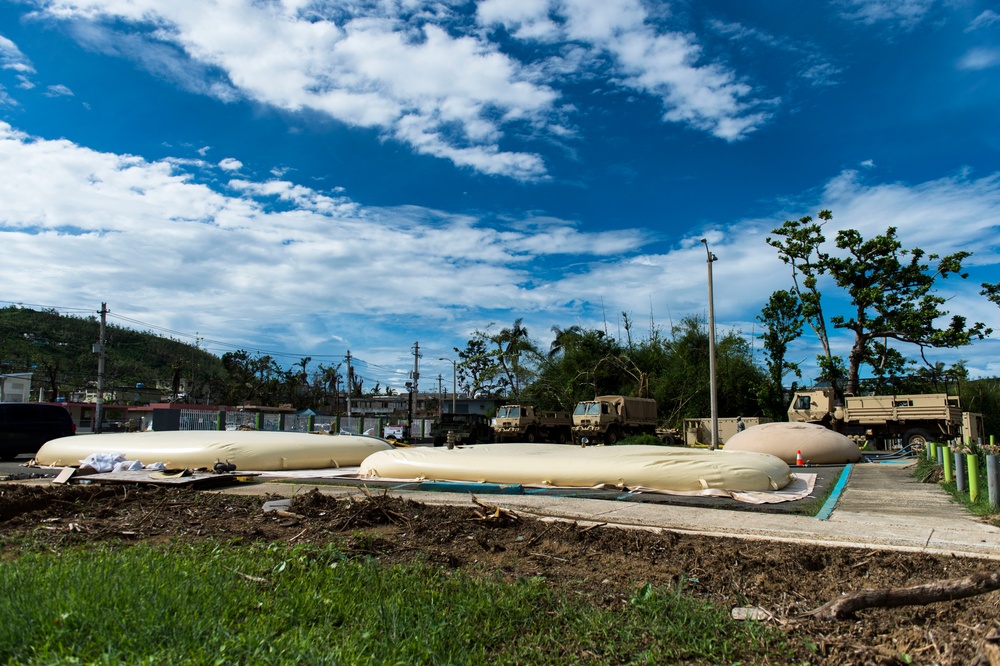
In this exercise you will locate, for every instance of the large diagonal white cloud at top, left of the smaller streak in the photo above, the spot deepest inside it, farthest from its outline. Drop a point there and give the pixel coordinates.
(445, 95)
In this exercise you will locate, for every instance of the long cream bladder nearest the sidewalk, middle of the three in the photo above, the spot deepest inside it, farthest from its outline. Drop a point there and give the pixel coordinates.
(654, 467)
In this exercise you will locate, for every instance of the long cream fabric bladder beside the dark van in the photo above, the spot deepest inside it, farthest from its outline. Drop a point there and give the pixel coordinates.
(247, 449)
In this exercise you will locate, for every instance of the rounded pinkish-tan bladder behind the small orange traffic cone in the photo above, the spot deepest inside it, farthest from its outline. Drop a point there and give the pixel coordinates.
(819, 445)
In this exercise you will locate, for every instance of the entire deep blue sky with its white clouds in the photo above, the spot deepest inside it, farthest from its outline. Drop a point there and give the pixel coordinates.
(310, 178)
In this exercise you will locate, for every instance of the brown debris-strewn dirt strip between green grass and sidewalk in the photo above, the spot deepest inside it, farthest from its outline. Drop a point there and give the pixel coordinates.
(605, 565)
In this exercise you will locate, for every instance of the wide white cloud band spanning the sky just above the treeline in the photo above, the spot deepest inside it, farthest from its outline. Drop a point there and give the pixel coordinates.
(165, 248)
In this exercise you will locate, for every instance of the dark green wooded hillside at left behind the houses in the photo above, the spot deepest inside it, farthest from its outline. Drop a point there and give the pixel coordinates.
(58, 350)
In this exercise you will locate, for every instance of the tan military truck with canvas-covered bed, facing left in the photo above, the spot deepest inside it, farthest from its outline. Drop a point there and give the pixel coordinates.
(608, 418)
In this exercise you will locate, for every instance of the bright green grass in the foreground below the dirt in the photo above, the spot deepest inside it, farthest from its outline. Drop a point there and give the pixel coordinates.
(275, 604)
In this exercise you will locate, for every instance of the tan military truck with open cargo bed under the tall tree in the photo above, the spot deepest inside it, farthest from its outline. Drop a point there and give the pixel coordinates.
(908, 419)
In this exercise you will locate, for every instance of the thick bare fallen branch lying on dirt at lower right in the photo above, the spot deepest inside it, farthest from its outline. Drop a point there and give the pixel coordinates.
(947, 590)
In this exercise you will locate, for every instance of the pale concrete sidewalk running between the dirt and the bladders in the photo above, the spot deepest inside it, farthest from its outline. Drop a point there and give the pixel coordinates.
(882, 506)
